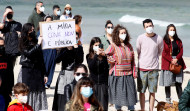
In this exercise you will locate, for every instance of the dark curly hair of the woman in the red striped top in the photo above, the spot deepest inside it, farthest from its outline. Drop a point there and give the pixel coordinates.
(115, 35)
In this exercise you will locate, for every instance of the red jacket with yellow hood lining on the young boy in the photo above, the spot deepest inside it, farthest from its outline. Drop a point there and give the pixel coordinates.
(15, 106)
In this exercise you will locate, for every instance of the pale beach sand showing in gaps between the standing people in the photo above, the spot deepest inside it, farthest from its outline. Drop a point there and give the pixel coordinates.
(160, 95)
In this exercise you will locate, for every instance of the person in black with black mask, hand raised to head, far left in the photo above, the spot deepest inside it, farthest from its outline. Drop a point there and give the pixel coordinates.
(11, 31)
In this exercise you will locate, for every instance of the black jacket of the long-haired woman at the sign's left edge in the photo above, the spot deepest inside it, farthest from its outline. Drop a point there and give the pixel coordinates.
(33, 68)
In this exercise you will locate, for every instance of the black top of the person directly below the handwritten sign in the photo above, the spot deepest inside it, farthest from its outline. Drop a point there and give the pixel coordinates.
(70, 58)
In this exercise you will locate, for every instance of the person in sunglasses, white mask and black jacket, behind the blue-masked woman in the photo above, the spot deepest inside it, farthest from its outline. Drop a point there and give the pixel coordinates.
(79, 72)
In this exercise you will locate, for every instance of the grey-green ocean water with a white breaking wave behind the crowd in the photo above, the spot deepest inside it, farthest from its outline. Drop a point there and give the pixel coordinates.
(129, 13)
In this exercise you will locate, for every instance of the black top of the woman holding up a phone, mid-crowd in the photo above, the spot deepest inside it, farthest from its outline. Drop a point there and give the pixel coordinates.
(99, 69)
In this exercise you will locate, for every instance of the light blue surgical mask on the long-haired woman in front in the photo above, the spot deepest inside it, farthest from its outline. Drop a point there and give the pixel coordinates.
(86, 91)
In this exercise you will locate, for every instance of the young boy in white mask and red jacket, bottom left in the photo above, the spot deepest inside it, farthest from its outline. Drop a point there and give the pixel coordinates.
(20, 103)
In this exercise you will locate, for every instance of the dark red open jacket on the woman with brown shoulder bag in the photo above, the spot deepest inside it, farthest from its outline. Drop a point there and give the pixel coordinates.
(167, 58)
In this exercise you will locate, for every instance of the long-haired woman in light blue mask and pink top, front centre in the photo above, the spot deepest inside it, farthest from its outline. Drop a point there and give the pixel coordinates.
(83, 98)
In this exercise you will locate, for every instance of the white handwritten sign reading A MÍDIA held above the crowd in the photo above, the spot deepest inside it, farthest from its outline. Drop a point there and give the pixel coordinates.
(58, 34)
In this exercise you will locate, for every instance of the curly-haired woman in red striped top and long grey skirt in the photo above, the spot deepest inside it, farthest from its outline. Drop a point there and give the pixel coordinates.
(122, 88)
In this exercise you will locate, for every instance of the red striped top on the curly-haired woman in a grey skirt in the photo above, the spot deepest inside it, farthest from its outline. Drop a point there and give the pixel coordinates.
(123, 63)
